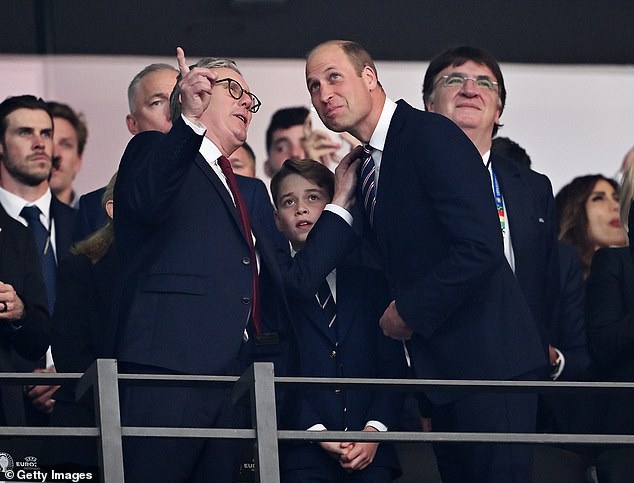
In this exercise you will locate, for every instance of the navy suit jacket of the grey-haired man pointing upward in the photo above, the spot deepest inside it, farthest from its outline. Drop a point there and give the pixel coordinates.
(185, 285)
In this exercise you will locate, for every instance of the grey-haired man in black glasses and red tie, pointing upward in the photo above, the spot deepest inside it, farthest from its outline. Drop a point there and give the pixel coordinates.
(186, 298)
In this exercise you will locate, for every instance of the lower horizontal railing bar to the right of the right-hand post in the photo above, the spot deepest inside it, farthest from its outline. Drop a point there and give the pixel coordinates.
(539, 438)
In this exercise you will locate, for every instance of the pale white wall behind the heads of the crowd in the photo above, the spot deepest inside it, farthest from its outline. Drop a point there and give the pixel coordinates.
(572, 120)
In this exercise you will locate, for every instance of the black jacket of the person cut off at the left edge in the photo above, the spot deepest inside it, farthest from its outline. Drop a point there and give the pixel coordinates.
(20, 267)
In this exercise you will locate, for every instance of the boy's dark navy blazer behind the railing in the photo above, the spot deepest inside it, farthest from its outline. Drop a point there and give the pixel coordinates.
(356, 347)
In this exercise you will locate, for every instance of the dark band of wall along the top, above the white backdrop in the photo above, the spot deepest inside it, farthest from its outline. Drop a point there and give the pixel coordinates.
(529, 31)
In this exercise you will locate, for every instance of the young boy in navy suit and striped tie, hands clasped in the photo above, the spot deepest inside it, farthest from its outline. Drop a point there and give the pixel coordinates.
(336, 335)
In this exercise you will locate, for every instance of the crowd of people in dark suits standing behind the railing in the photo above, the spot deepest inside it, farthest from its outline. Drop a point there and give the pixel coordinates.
(430, 250)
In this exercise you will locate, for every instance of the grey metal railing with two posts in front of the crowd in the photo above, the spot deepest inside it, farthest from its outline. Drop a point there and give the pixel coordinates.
(259, 384)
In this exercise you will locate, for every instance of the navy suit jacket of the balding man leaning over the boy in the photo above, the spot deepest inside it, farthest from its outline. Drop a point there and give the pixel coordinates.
(438, 231)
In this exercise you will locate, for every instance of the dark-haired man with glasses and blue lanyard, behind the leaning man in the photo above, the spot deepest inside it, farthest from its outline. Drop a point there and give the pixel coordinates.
(466, 85)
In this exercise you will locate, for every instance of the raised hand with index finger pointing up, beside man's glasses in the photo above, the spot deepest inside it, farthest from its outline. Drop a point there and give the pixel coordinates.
(196, 85)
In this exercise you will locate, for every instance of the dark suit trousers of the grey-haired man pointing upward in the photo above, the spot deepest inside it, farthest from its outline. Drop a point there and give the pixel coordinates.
(179, 459)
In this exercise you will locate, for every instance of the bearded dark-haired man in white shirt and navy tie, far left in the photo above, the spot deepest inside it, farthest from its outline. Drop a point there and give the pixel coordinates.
(26, 131)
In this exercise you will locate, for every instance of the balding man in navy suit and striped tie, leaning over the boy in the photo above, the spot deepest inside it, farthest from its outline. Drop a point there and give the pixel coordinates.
(428, 204)
